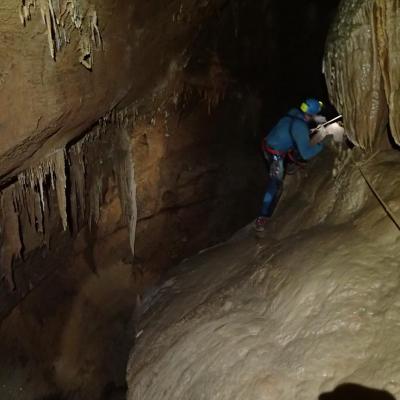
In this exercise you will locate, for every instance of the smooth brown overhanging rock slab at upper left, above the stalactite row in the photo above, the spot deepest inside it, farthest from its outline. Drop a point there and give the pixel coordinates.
(46, 102)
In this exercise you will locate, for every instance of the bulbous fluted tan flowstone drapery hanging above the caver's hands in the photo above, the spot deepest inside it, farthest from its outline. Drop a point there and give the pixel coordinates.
(361, 67)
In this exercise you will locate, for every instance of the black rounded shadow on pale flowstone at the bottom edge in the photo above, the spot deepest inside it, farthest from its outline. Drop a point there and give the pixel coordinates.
(350, 391)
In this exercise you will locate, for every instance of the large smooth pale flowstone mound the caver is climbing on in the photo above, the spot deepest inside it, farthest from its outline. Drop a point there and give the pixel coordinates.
(312, 306)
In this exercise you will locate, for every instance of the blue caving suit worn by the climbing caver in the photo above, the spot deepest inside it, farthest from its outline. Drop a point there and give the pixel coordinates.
(291, 133)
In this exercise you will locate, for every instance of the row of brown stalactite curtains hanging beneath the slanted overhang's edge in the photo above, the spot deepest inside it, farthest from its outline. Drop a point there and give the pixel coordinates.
(71, 183)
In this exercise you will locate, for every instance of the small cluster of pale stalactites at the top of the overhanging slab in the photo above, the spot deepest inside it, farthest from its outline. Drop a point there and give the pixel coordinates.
(60, 18)
